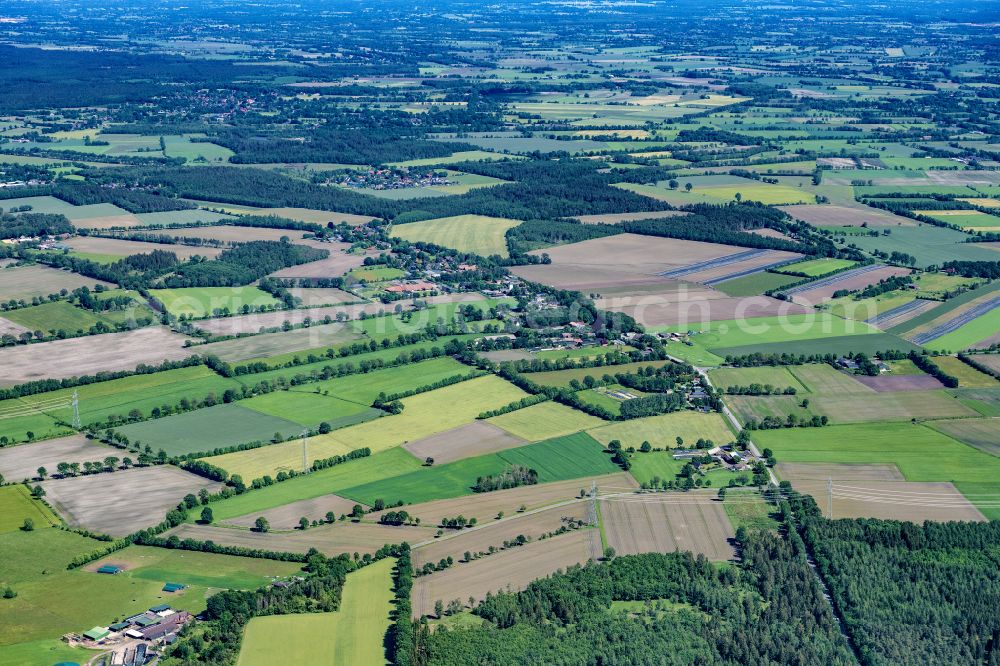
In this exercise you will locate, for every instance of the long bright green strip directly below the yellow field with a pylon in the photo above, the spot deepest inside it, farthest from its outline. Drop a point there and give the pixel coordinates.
(393, 462)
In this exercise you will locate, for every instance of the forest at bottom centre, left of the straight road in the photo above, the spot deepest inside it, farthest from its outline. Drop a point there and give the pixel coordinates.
(766, 610)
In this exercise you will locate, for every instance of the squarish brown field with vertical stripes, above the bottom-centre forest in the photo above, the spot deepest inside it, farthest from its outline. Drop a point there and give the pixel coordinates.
(667, 522)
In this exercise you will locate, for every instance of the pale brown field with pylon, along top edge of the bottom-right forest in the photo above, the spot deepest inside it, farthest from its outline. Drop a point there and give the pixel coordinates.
(888, 500)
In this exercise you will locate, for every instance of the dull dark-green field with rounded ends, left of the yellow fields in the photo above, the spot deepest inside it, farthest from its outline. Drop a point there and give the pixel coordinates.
(208, 429)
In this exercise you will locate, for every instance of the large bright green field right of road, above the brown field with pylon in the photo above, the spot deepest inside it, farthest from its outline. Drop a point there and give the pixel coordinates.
(920, 453)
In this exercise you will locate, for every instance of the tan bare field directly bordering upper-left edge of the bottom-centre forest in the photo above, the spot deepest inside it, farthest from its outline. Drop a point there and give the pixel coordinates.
(510, 570)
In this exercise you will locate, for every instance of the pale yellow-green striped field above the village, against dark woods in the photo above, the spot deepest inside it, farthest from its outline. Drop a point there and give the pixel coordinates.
(477, 234)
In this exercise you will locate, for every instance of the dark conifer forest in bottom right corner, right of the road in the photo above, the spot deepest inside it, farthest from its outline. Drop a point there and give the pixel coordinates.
(914, 594)
